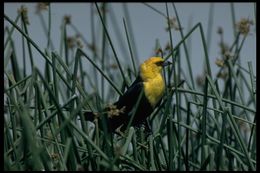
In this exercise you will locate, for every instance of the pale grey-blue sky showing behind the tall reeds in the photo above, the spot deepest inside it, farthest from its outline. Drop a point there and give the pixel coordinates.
(148, 26)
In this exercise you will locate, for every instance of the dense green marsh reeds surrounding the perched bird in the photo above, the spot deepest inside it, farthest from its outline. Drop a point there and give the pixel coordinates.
(203, 126)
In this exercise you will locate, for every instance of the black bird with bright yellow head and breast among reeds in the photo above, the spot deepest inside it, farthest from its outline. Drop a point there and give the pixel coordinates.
(138, 101)
